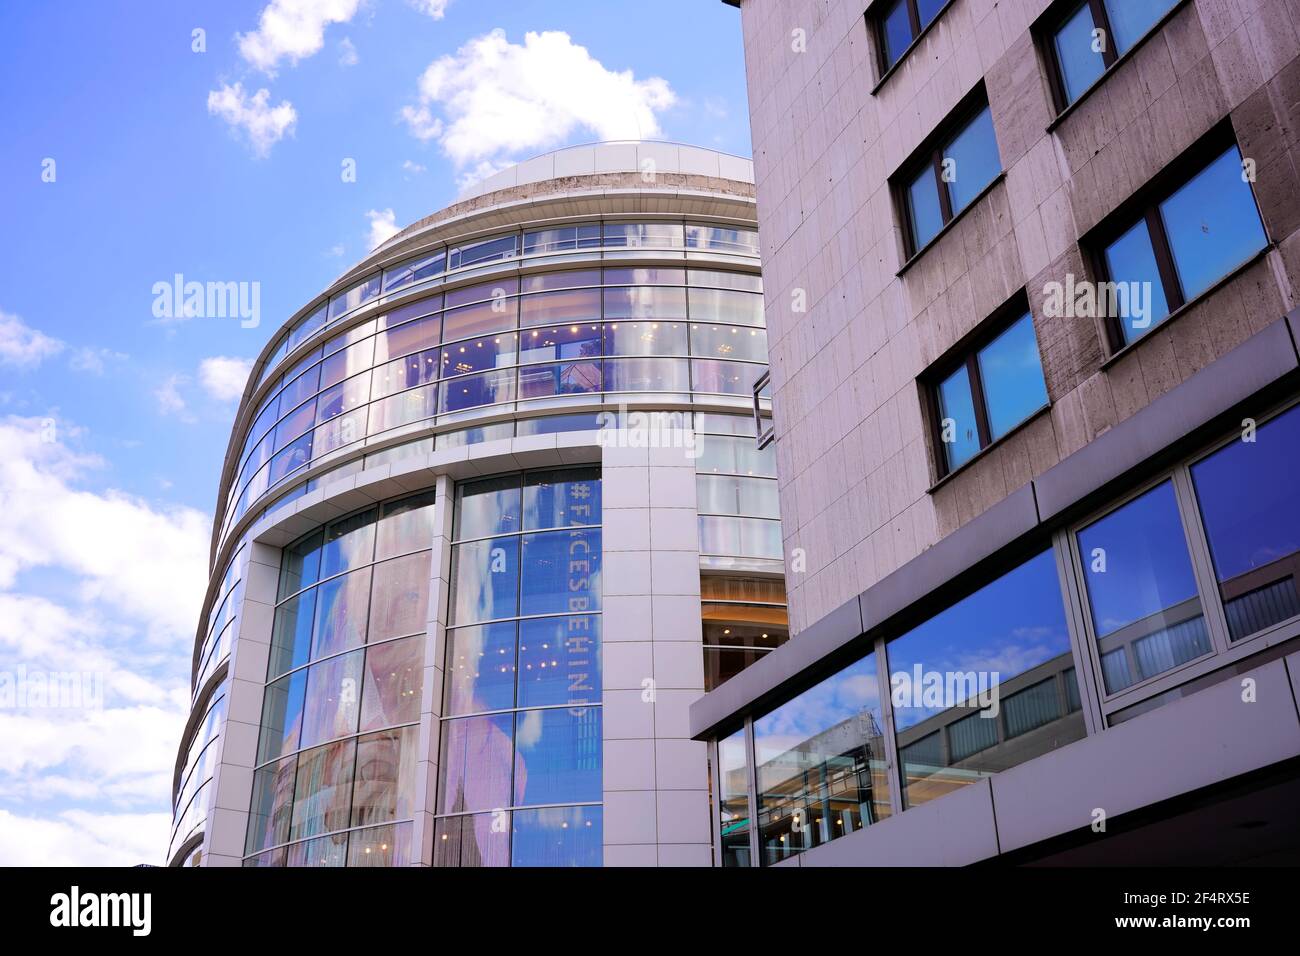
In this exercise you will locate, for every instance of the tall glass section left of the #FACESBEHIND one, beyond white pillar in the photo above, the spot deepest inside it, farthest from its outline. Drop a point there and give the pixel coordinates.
(337, 751)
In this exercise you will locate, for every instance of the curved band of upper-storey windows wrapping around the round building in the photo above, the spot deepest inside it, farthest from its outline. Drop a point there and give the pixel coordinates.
(509, 345)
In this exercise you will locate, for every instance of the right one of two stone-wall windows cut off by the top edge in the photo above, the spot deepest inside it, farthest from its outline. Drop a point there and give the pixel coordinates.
(1090, 38)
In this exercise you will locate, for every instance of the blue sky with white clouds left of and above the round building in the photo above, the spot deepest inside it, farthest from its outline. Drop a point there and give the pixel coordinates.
(114, 423)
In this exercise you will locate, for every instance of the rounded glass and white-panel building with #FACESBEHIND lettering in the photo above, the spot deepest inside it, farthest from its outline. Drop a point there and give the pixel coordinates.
(492, 517)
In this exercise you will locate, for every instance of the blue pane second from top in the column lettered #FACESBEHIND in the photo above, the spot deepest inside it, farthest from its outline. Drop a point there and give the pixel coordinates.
(562, 573)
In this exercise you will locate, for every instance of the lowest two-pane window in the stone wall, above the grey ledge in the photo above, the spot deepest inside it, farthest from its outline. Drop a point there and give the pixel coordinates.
(995, 387)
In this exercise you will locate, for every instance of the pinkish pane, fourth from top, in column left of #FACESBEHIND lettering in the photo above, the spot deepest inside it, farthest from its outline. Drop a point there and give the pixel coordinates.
(478, 760)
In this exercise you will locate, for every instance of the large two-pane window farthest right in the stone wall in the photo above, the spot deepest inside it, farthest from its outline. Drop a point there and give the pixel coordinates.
(1178, 244)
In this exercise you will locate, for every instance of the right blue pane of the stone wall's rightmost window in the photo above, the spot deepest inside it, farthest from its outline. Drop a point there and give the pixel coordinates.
(1214, 226)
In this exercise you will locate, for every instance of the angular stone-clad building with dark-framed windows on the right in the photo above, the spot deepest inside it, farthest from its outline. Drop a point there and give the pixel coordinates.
(1033, 315)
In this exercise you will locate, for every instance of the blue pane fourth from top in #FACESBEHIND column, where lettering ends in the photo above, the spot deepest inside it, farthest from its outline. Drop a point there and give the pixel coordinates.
(560, 756)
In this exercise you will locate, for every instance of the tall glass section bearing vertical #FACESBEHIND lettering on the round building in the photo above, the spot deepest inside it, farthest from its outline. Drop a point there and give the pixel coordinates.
(522, 743)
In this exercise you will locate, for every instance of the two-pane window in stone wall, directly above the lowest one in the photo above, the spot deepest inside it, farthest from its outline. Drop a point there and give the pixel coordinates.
(948, 174)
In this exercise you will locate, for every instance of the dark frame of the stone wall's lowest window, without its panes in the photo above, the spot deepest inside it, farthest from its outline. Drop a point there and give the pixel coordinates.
(965, 354)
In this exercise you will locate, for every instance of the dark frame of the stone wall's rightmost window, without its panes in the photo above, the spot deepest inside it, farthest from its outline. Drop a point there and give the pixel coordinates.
(1145, 206)
